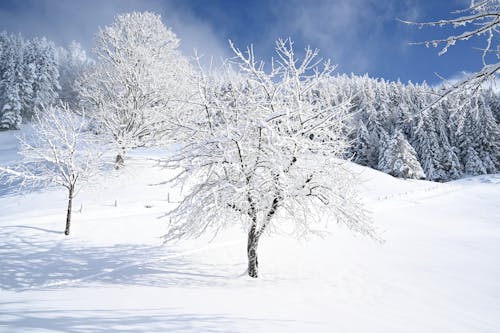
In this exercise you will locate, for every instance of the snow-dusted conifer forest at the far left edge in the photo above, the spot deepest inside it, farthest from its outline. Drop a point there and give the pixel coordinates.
(36, 73)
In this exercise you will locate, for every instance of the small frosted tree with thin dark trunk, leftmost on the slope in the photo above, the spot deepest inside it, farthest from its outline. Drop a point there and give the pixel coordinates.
(58, 152)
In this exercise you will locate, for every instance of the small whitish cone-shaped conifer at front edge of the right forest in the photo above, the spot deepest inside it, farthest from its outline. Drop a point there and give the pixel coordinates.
(400, 159)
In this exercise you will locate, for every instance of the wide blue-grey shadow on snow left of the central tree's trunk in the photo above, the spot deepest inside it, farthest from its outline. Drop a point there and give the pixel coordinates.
(41, 262)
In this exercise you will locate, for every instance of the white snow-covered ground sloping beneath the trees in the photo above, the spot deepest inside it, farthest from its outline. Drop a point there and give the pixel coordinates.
(437, 271)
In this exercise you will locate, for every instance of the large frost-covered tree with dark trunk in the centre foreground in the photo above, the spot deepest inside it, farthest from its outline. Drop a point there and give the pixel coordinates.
(265, 149)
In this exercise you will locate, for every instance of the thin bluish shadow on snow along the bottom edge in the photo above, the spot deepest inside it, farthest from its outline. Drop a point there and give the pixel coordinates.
(132, 320)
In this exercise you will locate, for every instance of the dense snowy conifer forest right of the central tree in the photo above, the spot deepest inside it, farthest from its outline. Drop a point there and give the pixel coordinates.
(396, 132)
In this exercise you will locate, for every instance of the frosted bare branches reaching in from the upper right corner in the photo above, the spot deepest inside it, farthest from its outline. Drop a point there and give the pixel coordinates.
(480, 19)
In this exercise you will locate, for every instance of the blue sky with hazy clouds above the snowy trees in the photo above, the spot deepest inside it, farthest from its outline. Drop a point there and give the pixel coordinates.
(361, 36)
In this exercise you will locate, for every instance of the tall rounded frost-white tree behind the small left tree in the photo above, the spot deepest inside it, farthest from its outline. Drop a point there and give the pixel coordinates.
(138, 81)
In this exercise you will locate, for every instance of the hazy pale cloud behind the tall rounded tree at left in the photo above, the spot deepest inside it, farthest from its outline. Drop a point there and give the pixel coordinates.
(64, 21)
